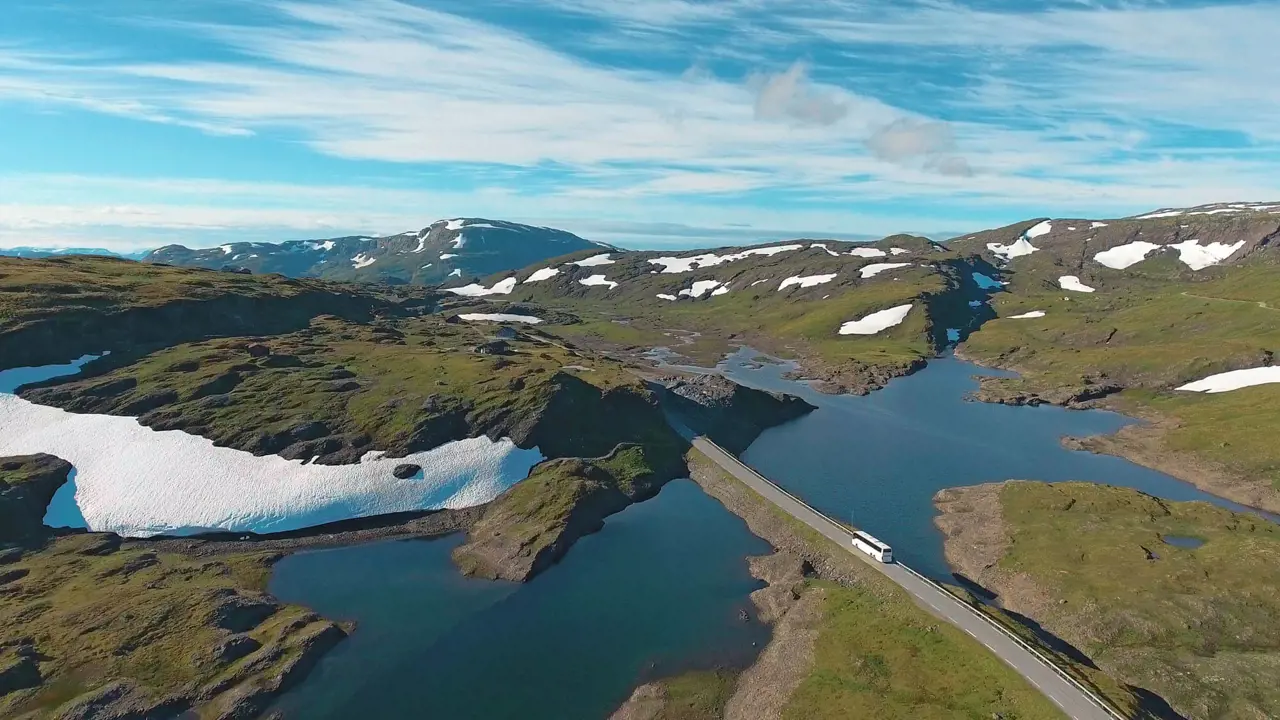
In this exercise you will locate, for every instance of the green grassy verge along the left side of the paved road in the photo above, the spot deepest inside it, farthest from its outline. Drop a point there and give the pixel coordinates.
(880, 655)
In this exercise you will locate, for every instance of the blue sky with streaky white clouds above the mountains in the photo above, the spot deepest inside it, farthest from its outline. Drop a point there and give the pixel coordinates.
(646, 124)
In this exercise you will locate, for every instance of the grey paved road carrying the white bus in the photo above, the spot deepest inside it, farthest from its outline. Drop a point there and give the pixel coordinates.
(1076, 703)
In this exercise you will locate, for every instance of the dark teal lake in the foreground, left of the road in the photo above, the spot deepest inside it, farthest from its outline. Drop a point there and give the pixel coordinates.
(657, 591)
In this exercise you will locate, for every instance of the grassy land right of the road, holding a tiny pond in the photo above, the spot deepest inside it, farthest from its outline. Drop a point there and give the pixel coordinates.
(1196, 626)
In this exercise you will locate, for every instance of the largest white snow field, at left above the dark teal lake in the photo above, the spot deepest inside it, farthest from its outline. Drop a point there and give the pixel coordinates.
(135, 481)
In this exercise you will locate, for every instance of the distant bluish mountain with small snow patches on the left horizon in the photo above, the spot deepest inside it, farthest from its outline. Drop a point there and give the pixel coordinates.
(444, 252)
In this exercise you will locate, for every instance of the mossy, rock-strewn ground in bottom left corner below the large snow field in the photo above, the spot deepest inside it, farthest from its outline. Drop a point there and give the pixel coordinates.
(97, 616)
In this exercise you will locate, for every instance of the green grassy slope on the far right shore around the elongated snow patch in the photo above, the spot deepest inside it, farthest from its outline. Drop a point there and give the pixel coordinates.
(1153, 338)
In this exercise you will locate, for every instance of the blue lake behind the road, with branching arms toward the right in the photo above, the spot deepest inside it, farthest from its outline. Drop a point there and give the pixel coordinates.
(876, 462)
